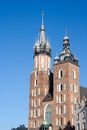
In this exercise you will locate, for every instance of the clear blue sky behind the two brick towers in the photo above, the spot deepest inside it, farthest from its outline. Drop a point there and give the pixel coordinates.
(20, 22)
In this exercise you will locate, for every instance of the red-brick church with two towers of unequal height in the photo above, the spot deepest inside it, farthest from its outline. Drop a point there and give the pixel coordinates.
(53, 95)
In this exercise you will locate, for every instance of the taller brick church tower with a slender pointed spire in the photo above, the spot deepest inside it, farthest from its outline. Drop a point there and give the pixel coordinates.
(40, 80)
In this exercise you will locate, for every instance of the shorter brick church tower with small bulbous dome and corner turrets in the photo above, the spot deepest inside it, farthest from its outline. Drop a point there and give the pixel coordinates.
(66, 85)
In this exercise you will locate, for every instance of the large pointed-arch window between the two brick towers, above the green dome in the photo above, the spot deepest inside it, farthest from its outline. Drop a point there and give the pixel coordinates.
(48, 113)
